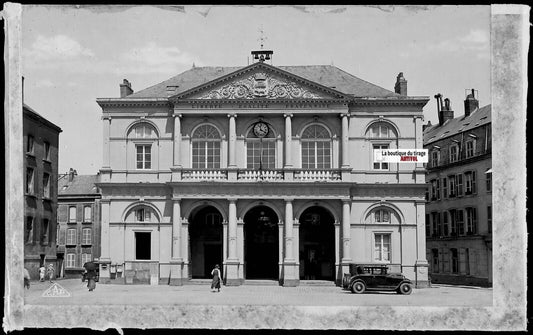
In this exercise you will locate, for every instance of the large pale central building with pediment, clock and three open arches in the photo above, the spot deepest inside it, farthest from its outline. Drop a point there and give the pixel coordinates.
(265, 170)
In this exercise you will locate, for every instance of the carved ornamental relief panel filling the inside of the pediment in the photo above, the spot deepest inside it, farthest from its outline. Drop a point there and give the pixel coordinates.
(261, 85)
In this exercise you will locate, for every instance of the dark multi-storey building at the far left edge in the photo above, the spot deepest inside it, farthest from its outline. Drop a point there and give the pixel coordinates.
(41, 142)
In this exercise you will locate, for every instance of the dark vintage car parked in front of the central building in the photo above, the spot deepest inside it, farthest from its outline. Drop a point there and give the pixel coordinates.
(375, 277)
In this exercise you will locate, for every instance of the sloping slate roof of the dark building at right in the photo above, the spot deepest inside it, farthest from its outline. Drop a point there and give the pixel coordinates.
(458, 125)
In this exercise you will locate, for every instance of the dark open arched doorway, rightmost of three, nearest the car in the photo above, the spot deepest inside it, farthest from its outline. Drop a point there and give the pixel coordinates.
(317, 244)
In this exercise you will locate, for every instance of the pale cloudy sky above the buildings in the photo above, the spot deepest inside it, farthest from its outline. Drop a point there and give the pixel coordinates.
(73, 55)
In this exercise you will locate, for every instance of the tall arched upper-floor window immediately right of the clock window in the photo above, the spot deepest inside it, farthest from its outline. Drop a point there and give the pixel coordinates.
(316, 148)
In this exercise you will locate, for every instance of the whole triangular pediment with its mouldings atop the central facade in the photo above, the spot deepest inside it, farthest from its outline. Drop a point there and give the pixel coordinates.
(260, 81)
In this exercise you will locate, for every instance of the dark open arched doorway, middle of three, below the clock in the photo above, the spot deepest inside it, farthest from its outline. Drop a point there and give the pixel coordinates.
(261, 245)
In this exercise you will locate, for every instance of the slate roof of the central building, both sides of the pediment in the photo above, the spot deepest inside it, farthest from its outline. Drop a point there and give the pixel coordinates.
(326, 75)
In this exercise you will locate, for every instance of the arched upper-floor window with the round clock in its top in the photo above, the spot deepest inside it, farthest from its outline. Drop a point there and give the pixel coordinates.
(260, 151)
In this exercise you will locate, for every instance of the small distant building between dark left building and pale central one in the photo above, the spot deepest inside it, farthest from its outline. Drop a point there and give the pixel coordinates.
(78, 219)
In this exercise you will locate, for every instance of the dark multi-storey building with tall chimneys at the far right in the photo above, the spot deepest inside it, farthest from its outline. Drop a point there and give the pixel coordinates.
(459, 207)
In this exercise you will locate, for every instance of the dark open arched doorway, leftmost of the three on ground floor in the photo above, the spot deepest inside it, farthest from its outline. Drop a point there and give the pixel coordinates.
(205, 240)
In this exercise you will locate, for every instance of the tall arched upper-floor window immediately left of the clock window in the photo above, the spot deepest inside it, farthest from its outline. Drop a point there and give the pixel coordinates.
(206, 147)
